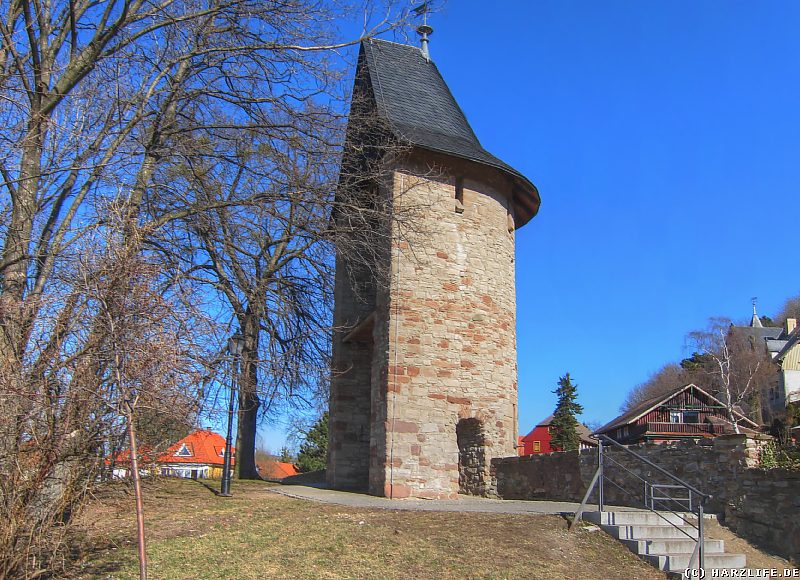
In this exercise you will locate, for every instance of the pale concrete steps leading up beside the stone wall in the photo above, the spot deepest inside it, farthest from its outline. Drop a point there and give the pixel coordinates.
(663, 539)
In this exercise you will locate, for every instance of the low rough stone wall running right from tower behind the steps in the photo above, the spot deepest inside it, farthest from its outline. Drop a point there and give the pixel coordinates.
(761, 505)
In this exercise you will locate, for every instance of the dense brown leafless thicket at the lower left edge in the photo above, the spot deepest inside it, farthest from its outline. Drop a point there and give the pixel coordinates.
(117, 344)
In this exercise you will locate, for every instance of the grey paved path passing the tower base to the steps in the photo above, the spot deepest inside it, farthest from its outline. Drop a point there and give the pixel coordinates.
(463, 504)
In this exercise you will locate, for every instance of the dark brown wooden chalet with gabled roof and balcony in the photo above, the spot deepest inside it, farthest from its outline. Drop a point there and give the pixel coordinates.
(687, 412)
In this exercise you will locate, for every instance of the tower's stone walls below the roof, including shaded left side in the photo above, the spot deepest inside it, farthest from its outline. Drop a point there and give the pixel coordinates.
(439, 365)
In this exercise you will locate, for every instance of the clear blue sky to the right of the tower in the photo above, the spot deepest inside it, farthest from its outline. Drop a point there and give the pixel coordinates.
(664, 138)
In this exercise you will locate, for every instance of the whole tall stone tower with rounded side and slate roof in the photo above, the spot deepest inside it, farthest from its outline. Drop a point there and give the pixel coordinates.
(424, 389)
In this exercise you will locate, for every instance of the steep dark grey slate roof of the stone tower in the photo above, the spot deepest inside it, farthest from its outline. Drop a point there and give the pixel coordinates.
(412, 96)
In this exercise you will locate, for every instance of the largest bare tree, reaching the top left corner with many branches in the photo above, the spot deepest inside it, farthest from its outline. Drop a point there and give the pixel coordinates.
(98, 100)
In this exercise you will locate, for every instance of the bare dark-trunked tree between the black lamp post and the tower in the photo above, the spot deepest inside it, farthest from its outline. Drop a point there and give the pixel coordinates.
(270, 265)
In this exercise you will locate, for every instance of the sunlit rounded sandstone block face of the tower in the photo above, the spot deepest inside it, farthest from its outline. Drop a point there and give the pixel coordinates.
(451, 312)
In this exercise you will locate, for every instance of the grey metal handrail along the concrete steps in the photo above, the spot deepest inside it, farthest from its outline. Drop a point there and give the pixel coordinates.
(698, 555)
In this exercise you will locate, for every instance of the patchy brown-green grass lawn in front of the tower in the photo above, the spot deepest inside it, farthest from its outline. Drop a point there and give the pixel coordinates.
(193, 533)
